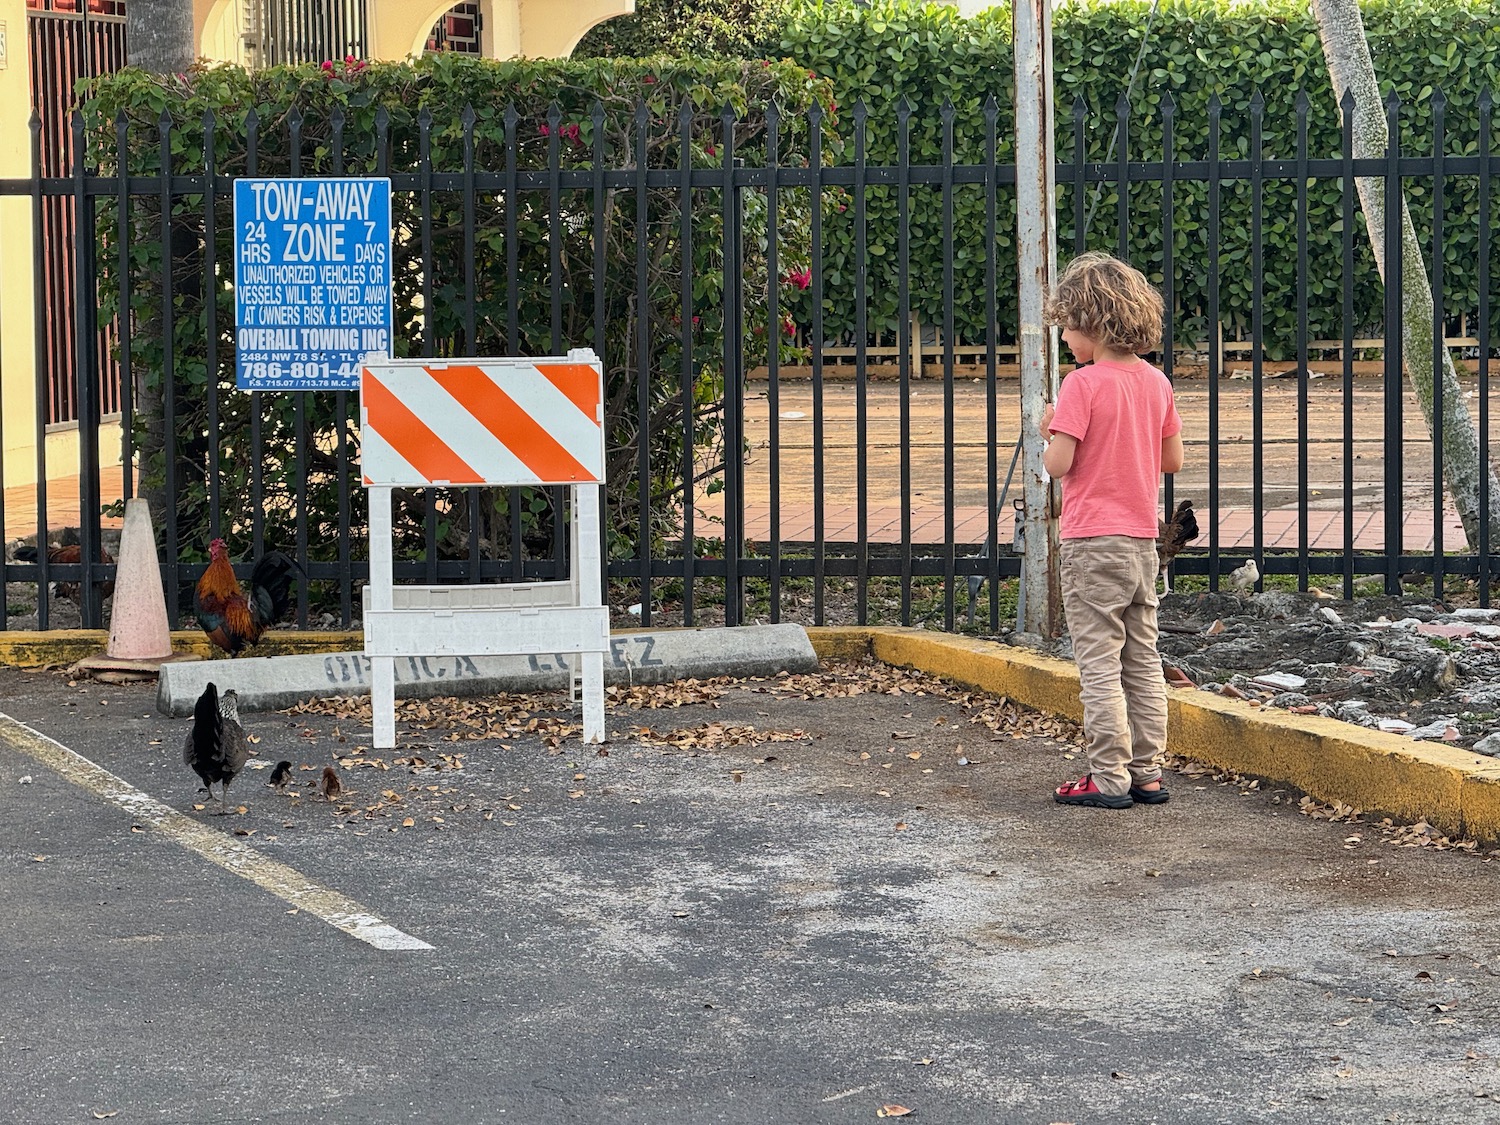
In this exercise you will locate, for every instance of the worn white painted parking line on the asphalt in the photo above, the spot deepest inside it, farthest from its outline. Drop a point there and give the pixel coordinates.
(214, 847)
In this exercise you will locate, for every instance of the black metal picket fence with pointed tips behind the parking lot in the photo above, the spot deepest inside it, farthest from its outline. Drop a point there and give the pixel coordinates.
(902, 461)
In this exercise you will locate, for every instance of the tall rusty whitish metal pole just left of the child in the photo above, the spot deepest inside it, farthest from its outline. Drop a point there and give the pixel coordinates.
(1037, 250)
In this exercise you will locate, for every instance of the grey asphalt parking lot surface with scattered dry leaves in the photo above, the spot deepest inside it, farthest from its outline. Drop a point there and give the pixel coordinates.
(865, 902)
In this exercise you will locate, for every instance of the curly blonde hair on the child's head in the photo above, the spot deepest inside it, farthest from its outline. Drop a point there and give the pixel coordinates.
(1108, 301)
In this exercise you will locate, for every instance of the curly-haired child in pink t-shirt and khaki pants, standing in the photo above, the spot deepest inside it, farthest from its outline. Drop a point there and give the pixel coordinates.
(1112, 434)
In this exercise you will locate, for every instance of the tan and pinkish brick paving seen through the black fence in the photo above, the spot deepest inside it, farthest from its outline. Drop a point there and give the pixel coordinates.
(1285, 463)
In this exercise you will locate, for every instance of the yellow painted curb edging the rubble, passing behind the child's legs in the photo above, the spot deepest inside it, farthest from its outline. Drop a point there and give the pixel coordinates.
(1453, 790)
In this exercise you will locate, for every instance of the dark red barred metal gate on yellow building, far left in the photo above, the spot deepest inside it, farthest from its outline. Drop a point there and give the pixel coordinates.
(68, 40)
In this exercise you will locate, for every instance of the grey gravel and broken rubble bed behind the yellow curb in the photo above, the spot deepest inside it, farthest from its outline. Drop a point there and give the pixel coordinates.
(1405, 665)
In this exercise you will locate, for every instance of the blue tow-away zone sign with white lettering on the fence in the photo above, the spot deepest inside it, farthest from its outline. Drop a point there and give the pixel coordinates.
(311, 281)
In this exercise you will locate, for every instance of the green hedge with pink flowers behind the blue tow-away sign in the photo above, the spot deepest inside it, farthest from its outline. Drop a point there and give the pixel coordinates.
(554, 104)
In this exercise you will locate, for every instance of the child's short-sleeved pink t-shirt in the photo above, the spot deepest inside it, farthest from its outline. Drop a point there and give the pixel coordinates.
(1120, 415)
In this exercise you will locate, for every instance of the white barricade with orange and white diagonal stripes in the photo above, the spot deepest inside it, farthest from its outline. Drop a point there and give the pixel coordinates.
(490, 422)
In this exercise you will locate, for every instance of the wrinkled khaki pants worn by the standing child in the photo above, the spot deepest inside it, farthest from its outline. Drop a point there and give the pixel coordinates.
(1109, 595)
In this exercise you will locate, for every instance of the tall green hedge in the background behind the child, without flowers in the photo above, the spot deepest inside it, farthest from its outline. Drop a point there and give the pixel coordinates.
(1198, 49)
